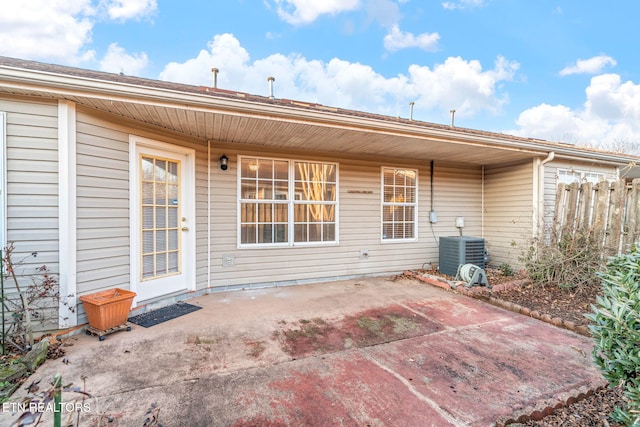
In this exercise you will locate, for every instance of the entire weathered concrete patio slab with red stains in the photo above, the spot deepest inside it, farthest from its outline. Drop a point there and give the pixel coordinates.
(376, 351)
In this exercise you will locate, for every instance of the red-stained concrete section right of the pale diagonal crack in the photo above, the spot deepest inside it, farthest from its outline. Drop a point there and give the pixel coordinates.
(496, 368)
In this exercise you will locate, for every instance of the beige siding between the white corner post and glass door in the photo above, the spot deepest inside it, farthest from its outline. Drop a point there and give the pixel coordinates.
(102, 190)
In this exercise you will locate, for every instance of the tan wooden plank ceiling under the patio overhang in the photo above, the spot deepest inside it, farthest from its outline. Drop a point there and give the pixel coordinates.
(283, 133)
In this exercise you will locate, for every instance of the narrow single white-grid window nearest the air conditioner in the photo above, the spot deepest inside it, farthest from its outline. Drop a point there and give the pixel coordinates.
(399, 203)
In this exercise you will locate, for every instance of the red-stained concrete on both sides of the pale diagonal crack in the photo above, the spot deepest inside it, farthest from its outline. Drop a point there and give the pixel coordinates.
(481, 364)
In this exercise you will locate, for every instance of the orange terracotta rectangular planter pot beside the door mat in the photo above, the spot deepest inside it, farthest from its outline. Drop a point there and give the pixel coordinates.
(107, 309)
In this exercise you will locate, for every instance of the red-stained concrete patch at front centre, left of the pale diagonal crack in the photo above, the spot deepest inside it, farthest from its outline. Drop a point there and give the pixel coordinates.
(342, 389)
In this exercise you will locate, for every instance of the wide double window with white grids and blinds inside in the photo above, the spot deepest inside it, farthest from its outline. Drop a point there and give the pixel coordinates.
(286, 202)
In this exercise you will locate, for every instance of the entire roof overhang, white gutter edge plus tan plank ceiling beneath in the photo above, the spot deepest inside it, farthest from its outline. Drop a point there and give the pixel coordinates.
(228, 117)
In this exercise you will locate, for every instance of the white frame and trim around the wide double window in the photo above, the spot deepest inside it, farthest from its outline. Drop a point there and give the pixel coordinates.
(291, 203)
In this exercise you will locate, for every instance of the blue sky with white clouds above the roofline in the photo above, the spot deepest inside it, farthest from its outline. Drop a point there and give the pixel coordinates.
(556, 70)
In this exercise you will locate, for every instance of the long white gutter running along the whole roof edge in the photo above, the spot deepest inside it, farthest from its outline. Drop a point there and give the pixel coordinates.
(66, 85)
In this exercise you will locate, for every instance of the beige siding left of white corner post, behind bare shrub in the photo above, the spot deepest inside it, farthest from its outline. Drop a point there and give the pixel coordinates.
(32, 190)
